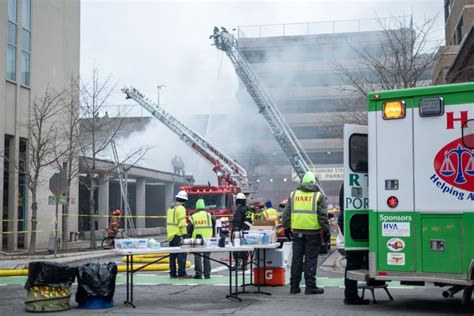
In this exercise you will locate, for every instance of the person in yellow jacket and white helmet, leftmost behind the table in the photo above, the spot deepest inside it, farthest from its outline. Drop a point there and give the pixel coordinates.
(175, 231)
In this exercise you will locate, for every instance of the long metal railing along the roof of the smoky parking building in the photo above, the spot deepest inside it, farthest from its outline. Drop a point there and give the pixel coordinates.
(322, 27)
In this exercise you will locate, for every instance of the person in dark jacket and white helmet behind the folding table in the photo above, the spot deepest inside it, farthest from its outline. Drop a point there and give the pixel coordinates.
(242, 214)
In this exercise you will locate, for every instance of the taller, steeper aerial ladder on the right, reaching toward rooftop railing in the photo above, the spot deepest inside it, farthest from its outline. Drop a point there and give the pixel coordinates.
(280, 129)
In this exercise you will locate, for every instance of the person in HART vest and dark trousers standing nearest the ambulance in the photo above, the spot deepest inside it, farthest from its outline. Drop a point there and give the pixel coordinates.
(304, 217)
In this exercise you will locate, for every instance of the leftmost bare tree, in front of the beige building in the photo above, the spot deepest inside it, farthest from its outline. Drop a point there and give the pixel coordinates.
(43, 133)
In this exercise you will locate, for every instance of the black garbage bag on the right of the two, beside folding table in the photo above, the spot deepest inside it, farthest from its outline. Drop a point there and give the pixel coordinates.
(96, 280)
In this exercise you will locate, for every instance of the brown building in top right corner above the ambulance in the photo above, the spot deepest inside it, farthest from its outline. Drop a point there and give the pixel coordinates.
(455, 60)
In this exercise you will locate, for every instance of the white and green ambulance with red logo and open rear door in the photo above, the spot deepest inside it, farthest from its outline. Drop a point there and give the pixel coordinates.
(409, 188)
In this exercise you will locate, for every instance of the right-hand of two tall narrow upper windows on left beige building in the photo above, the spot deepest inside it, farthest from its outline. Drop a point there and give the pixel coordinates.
(26, 43)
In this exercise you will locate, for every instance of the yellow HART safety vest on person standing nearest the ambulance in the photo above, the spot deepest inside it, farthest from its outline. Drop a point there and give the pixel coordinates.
(304, 210)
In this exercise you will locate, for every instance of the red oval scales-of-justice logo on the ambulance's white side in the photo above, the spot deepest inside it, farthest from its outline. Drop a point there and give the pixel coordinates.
(454, 164)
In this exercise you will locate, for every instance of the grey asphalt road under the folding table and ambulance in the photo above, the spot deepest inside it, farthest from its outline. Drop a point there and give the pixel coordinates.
(200, 297)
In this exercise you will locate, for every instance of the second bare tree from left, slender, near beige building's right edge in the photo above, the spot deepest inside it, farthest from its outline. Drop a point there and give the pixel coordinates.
(67, 153)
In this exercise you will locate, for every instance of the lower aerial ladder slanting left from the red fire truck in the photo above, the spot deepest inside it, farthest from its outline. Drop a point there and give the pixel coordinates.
(228, 171)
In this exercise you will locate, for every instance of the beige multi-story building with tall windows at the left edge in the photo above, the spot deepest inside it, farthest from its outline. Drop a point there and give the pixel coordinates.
(40, 44)
